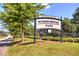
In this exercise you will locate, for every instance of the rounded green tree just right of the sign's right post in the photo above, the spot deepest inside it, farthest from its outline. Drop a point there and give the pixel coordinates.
(69, 26)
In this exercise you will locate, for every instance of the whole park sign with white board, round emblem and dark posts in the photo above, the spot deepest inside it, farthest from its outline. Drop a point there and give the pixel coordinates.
(47, 22)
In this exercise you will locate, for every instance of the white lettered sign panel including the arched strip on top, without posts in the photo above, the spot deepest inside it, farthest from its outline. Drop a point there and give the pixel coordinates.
(45, 22)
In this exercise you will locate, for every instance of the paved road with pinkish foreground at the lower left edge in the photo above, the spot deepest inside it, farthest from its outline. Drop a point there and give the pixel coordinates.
(3, 46)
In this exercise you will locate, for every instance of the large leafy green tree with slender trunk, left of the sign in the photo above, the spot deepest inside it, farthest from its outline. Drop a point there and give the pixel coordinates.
(17, 16)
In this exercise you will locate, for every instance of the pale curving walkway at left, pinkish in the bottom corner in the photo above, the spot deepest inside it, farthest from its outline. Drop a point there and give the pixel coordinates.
(3, 44)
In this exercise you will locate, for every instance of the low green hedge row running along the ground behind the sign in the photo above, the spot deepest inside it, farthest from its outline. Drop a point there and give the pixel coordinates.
(51, 38)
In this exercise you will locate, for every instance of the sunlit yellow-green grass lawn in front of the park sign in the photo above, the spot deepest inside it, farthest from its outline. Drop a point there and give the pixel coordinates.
(43, 48)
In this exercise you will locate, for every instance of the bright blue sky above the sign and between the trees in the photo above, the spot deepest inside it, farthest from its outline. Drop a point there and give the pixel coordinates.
(57, 9)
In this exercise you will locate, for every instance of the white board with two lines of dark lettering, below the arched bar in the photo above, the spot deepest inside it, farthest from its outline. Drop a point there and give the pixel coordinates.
(48, 23)
